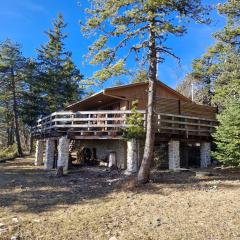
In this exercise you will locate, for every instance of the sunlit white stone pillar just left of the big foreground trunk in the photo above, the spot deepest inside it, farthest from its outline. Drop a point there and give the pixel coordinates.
(132, 156)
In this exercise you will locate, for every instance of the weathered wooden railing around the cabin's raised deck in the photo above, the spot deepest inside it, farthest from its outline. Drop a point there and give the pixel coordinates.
(112, 122)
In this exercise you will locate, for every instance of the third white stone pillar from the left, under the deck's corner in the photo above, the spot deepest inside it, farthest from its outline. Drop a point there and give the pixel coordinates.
(63, 153)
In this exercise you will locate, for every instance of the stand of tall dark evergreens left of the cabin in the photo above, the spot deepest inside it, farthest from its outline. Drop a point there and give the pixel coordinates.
(31, 88)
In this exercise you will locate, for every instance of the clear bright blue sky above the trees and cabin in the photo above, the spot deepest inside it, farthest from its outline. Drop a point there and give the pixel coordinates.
(25, 21)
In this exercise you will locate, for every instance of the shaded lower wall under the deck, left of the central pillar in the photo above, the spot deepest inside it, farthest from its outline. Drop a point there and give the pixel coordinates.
(104, 147)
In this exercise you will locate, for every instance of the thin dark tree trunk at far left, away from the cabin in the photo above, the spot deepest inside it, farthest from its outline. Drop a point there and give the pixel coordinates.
(15, 113)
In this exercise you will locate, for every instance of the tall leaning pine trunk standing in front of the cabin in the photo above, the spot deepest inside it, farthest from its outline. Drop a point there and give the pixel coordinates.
(144, 172)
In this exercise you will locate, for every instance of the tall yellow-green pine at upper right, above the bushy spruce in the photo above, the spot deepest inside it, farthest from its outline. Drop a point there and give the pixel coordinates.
(212, 72)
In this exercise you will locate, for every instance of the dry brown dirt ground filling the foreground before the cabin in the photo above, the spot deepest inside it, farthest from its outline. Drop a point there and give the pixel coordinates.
(93, 203)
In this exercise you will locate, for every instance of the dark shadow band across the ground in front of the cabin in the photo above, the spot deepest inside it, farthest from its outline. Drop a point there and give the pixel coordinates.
(31, 189)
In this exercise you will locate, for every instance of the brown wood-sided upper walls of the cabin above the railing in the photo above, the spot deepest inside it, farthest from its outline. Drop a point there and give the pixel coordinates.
(168, 101)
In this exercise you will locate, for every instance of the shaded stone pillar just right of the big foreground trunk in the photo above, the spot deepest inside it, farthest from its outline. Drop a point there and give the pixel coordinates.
(174, 154)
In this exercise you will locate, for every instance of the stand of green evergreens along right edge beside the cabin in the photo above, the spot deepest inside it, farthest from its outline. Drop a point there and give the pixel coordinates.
(218, 71)
